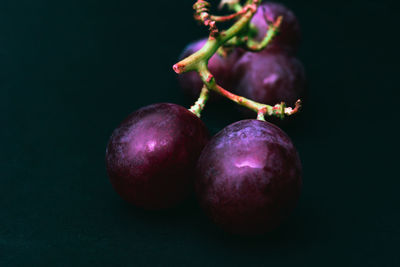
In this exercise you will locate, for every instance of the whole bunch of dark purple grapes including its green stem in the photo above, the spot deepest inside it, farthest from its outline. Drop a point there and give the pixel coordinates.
(247, 178)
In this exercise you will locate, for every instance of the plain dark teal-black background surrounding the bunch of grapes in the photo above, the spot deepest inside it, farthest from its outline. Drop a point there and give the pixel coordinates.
(72, 70)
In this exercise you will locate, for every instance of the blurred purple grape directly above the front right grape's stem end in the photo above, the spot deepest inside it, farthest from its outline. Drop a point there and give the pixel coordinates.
(270, 78)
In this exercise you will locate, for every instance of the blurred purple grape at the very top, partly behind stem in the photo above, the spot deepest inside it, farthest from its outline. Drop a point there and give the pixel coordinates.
(289, 35)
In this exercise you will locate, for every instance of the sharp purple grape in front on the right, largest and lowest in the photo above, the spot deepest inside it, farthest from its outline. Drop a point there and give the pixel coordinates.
(249, 177)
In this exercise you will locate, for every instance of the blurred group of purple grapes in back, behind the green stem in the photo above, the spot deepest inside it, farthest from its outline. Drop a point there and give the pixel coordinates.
(269, 76)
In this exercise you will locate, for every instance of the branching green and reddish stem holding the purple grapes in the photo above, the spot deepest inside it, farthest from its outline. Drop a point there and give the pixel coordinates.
(234, 36)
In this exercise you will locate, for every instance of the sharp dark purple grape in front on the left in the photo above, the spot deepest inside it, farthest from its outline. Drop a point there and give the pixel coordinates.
(151, 156)
